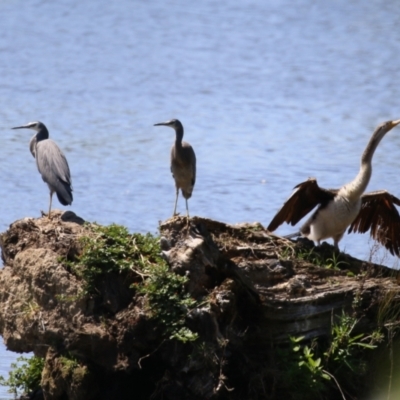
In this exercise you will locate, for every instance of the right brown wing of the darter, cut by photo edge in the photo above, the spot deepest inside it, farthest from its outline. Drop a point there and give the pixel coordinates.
(379, 214)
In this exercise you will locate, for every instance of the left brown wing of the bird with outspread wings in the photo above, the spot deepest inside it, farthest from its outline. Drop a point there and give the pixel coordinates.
(305, 197)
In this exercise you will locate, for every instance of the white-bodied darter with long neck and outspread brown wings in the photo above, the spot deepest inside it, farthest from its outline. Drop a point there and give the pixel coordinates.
(347, 206)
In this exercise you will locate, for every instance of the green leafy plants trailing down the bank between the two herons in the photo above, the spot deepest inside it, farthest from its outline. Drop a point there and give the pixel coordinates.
(112, 249)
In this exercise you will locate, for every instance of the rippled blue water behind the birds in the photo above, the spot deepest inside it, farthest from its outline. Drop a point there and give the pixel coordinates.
(270, 93)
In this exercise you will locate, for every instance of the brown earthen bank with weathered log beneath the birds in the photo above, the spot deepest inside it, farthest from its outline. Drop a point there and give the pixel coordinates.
(252, 291)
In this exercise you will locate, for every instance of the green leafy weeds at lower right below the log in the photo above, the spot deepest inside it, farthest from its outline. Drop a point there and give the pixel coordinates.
(313, 367)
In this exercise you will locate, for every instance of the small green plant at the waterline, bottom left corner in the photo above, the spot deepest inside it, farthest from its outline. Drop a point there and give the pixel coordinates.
(25, 375)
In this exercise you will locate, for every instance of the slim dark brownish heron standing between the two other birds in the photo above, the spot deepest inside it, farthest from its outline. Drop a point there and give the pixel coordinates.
(183, 163)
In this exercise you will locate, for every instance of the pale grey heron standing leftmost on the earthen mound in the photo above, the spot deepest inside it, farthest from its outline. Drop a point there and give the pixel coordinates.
(51, 163)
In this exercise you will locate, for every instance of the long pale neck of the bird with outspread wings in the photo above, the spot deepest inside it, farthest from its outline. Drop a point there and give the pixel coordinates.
(357, 187)
